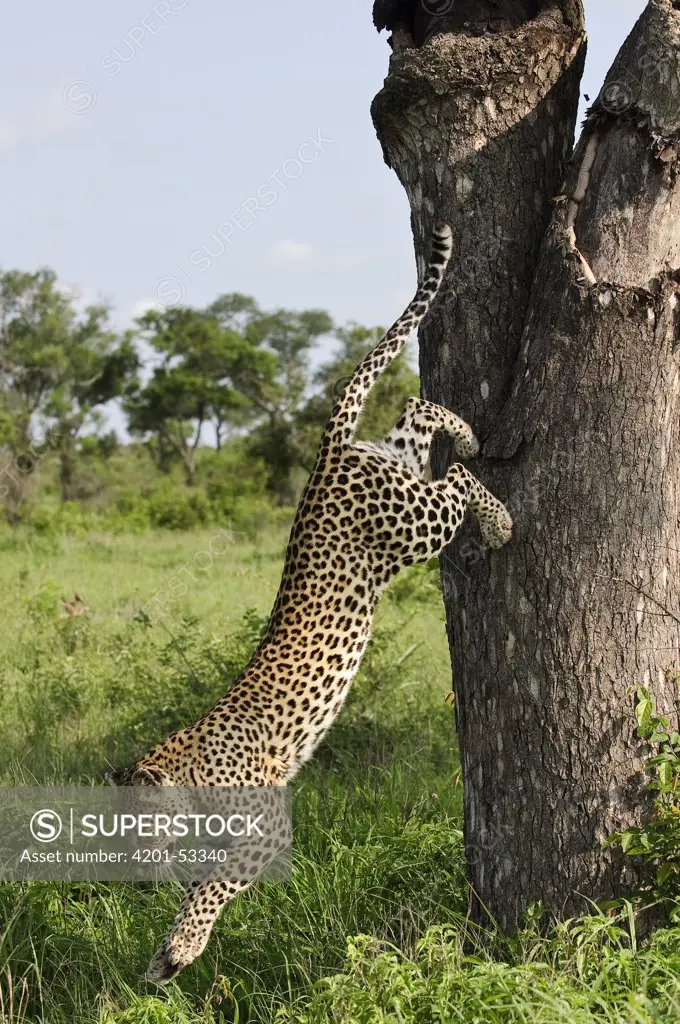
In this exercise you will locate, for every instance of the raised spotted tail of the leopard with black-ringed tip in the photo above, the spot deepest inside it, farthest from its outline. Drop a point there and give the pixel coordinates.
(343, 423)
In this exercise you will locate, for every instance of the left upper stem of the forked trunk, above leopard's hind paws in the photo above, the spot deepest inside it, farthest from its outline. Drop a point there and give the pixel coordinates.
(479, 130)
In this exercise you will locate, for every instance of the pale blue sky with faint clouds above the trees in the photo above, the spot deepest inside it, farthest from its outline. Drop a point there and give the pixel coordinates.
(130, 133)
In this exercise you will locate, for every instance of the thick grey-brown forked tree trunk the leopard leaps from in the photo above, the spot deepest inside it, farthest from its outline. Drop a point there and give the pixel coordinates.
(564, 354)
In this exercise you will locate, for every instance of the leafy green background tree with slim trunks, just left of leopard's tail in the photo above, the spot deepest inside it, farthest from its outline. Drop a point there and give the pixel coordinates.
(234, 366)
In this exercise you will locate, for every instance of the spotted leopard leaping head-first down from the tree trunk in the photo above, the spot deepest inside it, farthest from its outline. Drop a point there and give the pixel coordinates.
(369, 510)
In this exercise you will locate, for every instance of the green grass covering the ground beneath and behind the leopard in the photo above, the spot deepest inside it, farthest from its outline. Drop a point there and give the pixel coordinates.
(372, 927)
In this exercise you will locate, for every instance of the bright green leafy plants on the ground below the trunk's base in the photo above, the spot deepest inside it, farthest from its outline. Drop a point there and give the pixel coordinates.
(583, 974)
